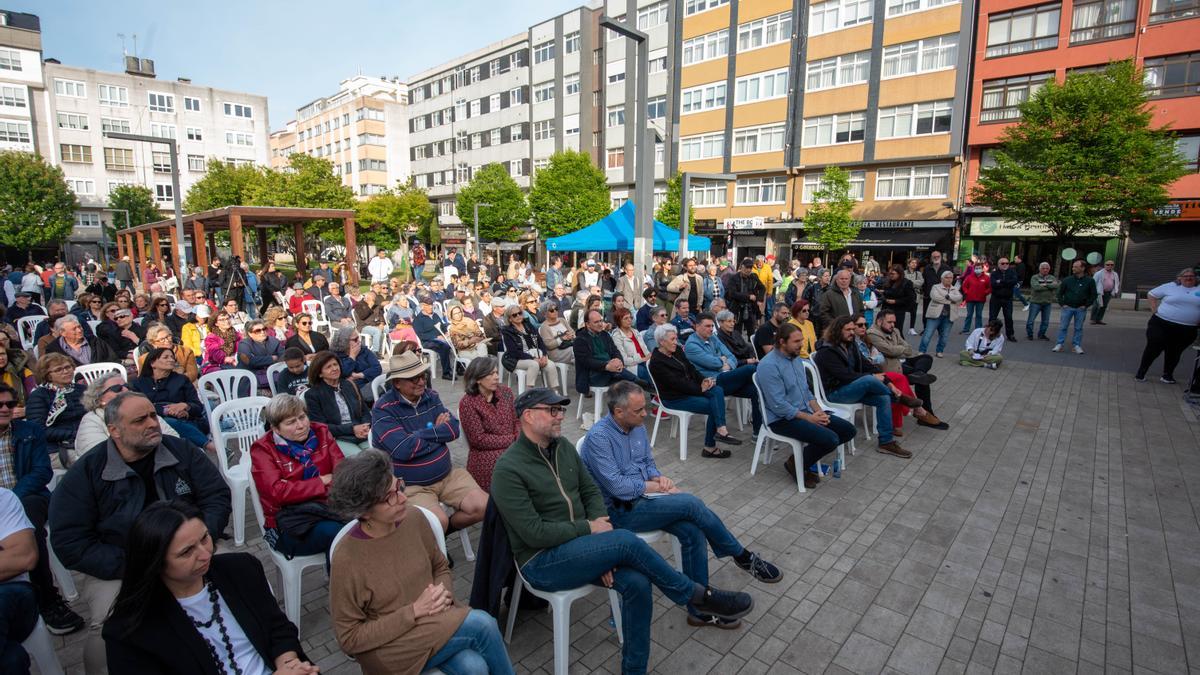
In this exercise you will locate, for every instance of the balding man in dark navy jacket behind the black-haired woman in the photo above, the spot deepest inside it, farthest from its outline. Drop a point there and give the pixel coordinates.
(94, 507)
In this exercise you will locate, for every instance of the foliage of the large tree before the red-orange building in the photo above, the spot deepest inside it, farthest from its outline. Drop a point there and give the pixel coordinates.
(1084, 156)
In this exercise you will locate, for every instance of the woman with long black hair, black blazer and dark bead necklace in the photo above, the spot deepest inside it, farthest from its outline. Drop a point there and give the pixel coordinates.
(176, 594)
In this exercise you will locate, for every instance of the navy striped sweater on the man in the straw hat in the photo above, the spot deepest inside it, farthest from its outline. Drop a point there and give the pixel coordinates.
(410, 434)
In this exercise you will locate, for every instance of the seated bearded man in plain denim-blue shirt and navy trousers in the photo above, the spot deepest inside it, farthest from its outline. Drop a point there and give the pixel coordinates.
(793, 410)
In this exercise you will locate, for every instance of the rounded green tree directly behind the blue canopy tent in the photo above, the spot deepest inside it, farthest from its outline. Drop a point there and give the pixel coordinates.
(569, 194)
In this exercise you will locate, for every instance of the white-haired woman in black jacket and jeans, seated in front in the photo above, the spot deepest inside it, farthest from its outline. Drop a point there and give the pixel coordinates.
(682, 387)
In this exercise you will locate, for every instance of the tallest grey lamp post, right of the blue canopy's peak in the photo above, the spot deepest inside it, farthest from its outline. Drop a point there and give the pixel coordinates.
(644, 139)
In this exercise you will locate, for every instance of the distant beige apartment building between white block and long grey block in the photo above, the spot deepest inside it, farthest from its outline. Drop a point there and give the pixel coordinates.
(362, 130)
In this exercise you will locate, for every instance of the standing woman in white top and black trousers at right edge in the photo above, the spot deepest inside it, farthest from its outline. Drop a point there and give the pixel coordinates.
(1173, 326)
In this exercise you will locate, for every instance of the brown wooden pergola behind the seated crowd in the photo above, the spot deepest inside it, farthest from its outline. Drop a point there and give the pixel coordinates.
(203, 226)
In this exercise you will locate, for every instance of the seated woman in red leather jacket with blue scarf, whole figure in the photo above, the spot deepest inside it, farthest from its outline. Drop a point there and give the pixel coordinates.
(292, 468)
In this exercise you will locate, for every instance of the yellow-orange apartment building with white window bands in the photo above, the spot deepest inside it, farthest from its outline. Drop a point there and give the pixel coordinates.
(775, 95)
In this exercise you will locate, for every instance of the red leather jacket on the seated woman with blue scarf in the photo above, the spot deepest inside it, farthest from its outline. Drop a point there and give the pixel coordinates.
(279, 479)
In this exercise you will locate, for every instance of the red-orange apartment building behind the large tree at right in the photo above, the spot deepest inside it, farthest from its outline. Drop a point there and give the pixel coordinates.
(1025, 44)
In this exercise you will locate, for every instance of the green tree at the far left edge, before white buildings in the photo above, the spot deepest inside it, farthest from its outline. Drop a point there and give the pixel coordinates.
(37, 207)
